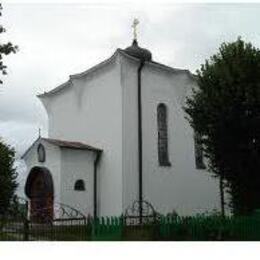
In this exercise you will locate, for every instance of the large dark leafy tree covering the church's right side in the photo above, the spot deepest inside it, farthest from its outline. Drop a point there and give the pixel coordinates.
(225, 111)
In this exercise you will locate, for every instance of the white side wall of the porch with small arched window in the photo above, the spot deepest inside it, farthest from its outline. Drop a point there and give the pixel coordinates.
(75, 165)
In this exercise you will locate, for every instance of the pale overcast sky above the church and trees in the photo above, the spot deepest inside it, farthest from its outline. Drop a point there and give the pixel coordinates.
(57, 40)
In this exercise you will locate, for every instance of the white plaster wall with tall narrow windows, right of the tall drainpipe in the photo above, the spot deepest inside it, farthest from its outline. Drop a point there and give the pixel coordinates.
(180, 187)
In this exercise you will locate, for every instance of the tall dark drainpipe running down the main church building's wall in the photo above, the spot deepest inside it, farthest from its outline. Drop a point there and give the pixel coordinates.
(140, 137)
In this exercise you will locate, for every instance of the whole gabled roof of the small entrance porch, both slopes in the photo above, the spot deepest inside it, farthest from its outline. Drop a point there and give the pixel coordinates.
(63, 144)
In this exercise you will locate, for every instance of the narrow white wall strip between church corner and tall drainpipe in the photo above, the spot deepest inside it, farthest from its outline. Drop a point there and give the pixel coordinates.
(130, 131)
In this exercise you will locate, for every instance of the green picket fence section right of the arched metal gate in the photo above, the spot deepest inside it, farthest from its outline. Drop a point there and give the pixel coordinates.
(210, 229)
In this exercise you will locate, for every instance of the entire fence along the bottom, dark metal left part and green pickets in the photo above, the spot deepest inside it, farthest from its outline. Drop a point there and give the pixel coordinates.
(163, 228)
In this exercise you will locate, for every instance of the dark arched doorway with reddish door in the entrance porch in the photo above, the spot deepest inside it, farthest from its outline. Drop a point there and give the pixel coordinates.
(39, 189)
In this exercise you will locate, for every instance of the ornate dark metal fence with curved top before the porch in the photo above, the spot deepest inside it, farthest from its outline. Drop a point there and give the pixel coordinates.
(17, 223)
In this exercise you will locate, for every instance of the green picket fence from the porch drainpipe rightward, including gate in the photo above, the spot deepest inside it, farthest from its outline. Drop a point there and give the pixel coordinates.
(197, 228)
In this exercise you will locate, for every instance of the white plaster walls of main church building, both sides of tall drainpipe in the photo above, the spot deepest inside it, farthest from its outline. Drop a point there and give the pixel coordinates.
(100, 109)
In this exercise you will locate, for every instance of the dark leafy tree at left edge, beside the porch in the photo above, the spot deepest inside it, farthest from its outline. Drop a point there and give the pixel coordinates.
(8, 176)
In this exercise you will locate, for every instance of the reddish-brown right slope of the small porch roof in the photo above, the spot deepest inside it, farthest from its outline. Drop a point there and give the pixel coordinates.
(70, 144)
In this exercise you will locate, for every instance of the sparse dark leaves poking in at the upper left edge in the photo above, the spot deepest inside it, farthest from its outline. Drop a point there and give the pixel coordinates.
(5, 49)
